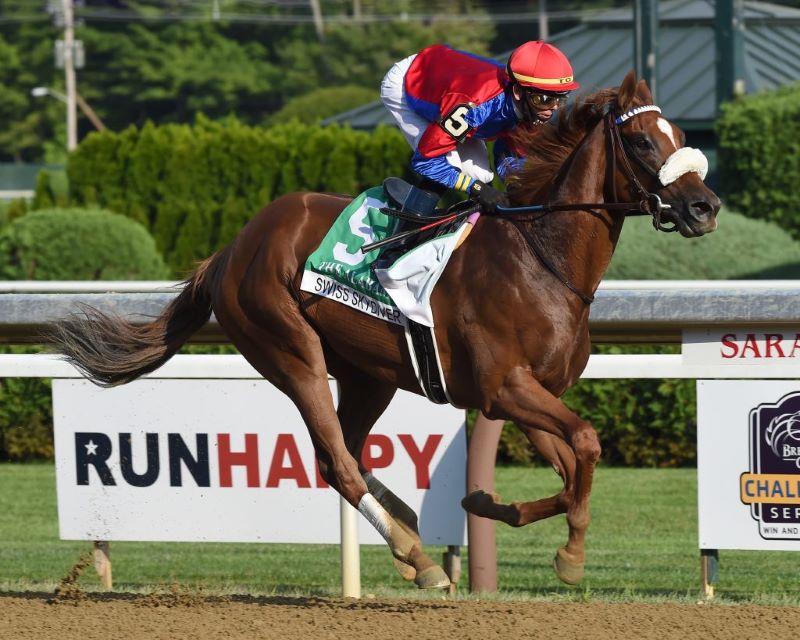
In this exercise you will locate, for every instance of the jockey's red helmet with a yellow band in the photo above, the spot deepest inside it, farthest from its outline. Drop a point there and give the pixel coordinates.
(540, 65)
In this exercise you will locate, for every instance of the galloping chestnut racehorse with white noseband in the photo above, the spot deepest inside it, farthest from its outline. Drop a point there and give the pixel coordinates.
(511, 313)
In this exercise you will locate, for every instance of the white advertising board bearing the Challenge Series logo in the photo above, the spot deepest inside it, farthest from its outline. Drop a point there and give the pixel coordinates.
(748, 464)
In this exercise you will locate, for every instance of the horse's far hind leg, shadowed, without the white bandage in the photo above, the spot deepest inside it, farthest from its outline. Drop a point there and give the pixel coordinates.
(361, 402)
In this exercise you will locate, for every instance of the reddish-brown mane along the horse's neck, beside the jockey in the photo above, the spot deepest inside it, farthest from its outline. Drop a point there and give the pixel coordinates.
(547, 146)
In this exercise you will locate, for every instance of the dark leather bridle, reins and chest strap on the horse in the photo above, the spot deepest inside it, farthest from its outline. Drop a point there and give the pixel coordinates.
(649, 203)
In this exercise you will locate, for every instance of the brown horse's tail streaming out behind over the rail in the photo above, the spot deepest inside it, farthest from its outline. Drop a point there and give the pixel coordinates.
(110, 350)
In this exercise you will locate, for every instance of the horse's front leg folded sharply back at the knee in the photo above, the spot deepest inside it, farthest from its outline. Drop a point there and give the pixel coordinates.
(517, 514)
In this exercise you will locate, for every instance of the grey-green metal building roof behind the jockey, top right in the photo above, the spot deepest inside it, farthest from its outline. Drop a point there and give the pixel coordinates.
(601, 52)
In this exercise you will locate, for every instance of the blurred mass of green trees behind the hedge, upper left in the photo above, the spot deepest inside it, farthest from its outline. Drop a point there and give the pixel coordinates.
(170, 61)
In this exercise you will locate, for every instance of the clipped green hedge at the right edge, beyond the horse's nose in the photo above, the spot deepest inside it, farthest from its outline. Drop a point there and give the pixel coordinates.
(759, 156)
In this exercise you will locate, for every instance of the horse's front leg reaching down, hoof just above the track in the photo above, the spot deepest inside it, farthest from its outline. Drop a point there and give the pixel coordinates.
(522, 398)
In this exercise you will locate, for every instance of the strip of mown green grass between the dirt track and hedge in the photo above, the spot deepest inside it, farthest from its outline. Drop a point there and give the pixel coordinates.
(642, 546)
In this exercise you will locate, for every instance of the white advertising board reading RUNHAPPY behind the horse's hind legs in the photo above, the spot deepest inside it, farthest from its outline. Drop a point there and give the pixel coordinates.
(232, 461)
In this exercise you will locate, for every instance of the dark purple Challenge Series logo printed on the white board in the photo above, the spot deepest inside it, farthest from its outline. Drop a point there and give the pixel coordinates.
(772, 486)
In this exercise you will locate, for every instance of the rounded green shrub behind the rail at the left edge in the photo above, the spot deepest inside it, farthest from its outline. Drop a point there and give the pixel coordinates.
(78, 244)
